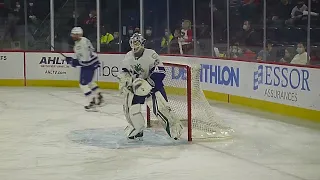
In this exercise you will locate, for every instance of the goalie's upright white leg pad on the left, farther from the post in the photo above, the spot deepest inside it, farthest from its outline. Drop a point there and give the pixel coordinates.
(132, 109)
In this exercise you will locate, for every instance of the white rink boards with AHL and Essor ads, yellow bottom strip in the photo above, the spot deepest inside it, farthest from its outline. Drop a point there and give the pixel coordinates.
(282, 89)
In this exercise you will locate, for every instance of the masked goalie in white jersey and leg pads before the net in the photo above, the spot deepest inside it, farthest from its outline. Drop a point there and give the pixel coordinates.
(141, 81)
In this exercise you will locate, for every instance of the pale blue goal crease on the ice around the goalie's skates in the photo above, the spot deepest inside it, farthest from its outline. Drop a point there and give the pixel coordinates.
(115, 139)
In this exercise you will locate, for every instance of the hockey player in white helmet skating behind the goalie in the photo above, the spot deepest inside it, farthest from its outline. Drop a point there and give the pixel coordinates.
(87, 60)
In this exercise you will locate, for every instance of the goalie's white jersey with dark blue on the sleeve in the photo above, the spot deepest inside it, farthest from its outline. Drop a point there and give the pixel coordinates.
(148, 66)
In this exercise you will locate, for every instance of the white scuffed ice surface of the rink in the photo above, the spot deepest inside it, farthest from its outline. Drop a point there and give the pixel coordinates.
(46, 134)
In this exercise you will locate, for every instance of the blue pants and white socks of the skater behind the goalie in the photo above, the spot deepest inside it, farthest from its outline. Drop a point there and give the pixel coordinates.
(88, 87)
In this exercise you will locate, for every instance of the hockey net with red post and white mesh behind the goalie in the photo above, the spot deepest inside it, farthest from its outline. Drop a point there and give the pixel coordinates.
(188, 102)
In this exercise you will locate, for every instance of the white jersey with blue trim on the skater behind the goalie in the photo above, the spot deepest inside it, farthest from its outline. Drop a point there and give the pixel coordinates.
(84, 53)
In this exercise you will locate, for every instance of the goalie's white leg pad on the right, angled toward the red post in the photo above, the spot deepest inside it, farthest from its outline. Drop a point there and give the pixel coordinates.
(163, 112)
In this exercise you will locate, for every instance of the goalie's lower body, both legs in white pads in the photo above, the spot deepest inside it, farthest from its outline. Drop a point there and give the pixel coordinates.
(158, 103)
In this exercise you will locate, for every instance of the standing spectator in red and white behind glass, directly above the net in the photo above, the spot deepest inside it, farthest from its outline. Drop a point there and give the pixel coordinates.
(186, 37)
